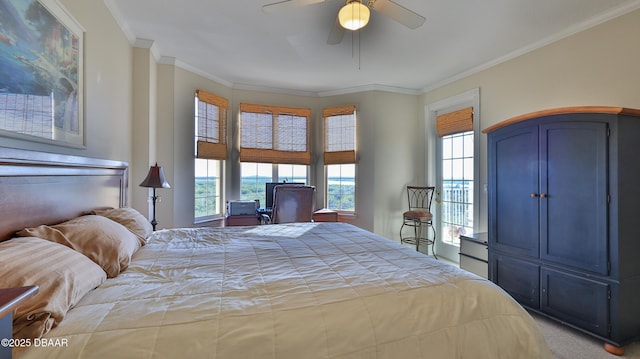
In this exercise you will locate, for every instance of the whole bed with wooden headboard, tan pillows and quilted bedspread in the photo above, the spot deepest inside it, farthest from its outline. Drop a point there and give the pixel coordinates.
(300, 290)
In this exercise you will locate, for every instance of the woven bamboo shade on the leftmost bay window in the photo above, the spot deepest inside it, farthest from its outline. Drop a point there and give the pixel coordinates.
(211, 126)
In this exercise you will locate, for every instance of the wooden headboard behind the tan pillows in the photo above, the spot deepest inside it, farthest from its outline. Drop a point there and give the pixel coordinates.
(45, 188)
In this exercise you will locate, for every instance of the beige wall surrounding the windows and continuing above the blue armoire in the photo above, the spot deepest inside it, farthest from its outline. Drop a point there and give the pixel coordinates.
(596, 66)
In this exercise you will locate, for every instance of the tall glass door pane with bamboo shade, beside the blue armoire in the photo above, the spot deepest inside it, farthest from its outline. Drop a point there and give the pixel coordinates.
(457, 174)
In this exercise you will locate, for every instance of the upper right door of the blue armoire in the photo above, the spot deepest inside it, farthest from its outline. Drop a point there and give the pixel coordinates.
(573, 194)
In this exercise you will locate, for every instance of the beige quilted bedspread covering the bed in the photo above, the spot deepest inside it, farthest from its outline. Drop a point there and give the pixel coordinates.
(304, 290)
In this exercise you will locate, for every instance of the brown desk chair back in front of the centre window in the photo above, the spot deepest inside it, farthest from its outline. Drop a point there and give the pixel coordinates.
(293, 203)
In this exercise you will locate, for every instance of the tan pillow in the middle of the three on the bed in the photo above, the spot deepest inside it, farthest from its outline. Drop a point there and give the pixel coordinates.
(107, 243)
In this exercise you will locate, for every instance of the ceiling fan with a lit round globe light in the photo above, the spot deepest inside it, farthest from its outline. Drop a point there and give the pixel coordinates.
(355, 14)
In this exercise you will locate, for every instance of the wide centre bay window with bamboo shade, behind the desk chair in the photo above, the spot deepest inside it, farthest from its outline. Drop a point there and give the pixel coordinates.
(274, 147)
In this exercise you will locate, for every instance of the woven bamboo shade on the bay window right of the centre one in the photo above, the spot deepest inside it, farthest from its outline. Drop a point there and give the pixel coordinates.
(339, 135)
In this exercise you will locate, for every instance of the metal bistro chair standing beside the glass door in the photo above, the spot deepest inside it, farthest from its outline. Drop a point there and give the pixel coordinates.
(419, 217)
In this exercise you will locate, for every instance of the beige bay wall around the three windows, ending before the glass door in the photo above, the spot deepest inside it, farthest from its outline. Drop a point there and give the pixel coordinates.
(384, 166)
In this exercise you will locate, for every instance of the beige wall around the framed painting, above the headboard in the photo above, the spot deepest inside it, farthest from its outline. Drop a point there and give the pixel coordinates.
(107, 87)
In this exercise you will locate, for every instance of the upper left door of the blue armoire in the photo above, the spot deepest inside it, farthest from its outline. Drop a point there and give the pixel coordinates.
(513, 179)
